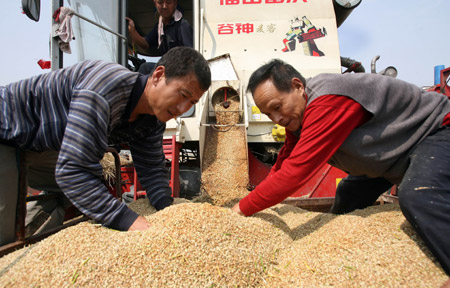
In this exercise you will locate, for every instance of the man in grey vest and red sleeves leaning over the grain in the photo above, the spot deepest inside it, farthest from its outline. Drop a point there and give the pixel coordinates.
(381, 131)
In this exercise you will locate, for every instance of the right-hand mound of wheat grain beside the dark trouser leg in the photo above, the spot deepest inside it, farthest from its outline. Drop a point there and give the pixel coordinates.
(373, 247)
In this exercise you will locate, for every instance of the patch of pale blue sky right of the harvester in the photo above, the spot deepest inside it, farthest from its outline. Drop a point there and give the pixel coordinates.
(411, 35)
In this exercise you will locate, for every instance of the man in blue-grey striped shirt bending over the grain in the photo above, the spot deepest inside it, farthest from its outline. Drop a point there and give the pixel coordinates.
(74, 113)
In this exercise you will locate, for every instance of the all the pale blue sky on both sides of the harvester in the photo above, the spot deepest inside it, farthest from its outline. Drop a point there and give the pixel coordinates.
(411, 35)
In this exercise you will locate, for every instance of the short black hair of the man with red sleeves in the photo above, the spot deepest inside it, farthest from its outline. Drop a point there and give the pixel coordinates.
(279, 72)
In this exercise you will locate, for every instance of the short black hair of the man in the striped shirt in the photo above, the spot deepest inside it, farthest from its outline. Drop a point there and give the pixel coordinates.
(181, 61)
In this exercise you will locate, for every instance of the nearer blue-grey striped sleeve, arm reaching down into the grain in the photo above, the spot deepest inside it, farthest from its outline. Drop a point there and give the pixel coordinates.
(78, 171)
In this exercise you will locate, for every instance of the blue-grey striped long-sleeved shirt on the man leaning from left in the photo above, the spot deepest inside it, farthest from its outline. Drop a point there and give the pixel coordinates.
(79, 111)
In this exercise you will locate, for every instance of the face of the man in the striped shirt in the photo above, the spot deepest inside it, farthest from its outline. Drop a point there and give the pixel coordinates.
(171, 99)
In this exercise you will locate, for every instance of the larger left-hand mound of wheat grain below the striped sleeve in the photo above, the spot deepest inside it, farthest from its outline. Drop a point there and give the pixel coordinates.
(190, 245)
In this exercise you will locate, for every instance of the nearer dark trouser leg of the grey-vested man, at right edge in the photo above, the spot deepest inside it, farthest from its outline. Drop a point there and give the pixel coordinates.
(424, 194)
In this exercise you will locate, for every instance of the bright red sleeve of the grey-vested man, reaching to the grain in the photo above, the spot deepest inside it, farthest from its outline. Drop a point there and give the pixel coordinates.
(327, 122)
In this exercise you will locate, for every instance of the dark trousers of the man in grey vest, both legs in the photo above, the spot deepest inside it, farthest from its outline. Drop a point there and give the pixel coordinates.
(424, 194)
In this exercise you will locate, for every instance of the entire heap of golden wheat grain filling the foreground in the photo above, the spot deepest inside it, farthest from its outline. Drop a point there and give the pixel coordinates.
(201, 245)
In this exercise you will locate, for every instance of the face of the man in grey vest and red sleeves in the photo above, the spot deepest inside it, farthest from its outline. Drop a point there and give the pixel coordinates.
(283, 108)
